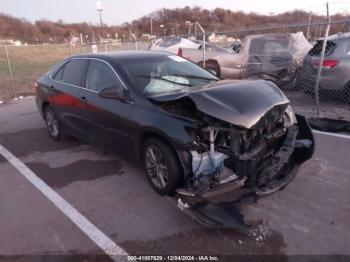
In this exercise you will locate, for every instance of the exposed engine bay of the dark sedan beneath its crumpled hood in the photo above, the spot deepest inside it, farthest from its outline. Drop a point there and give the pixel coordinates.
(225, 154)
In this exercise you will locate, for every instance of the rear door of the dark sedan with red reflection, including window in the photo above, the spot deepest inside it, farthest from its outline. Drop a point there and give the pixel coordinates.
(67, 82)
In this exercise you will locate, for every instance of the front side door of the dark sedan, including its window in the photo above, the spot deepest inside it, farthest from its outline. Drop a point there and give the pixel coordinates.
(106, 121)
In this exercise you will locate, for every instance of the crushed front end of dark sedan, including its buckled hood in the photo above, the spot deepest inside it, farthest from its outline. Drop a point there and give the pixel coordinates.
(247, 142)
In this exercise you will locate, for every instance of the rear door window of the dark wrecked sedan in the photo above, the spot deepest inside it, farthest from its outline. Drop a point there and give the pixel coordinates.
(73, 72)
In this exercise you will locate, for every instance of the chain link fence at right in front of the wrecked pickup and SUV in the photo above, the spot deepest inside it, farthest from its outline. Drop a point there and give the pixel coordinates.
(313, 73)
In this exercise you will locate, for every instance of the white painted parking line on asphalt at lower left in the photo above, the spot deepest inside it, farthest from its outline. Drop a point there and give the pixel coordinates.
(96, 235)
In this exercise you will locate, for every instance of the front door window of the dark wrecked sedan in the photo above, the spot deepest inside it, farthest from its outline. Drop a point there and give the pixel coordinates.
(100, 76)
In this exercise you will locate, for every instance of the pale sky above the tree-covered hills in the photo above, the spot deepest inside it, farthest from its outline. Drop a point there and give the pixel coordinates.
(119, 11)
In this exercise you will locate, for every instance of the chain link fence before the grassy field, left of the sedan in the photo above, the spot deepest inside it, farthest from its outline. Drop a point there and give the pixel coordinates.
(21, 66)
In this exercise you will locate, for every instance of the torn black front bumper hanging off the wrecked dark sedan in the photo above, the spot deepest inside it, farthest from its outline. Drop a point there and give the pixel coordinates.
(217, 206)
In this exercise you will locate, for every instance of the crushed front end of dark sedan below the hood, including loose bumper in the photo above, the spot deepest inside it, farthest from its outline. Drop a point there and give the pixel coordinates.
(230, 163)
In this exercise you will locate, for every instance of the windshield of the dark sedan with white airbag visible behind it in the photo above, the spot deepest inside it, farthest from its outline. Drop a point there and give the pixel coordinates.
(164, 74)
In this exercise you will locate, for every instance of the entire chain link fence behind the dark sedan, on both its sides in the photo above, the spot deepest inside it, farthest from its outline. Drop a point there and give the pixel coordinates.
(314, 76)
